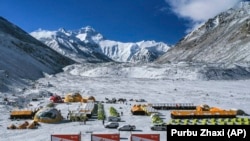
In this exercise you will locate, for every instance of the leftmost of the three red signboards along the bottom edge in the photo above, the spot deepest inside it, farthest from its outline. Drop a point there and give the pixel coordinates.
(66, 137)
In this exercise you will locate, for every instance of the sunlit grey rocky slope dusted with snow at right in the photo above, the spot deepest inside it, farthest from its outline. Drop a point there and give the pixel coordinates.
(223, 39)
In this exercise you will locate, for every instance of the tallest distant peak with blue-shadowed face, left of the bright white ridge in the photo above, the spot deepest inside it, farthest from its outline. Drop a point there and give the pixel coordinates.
(80, 45)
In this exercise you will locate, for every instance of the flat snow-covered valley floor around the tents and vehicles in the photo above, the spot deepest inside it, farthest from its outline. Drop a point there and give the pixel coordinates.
(224, 94)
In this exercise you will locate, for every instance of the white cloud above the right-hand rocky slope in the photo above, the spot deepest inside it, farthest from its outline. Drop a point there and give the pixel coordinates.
(198, 11)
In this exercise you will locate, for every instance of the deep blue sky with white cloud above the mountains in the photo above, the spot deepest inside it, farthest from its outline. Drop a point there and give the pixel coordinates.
(120, 20)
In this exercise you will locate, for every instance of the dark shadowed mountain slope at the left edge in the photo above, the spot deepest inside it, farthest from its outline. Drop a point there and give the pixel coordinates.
(25, 58)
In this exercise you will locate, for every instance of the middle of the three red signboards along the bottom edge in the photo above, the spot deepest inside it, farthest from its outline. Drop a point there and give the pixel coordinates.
(105, 137)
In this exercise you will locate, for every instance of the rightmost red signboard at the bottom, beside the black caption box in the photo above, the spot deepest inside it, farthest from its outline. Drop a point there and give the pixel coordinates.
(145, 137)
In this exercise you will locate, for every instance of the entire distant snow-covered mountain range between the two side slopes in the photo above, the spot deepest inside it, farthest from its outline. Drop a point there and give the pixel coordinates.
(87, 45)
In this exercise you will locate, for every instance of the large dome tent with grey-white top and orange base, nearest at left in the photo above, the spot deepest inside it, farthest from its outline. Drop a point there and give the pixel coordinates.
(48, 115)
